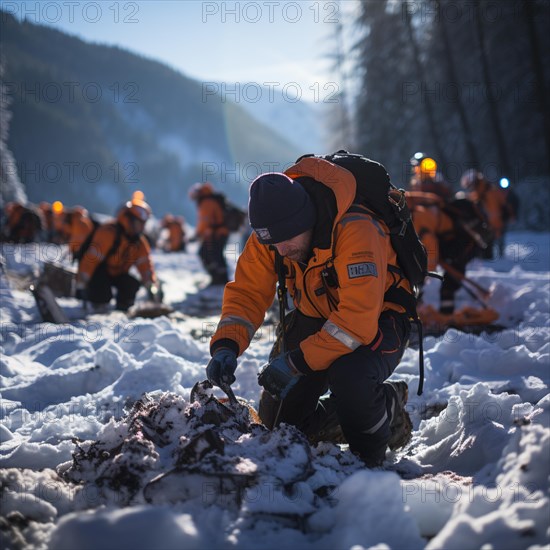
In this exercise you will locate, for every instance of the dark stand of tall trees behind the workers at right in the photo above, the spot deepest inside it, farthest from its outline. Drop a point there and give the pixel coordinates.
(464, 81)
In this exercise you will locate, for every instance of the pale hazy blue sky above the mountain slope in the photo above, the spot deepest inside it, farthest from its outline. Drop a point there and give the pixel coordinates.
(260, 42)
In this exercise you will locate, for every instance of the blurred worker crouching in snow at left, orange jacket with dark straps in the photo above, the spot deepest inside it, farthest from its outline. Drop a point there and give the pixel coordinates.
(116, 247)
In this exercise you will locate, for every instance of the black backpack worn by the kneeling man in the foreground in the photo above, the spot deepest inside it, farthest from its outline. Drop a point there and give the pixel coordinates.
(380, 196)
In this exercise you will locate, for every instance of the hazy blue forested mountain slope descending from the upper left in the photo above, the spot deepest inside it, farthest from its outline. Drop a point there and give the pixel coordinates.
(91, 123)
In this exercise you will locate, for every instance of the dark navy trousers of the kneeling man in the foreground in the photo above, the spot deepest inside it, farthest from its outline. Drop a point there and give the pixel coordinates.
(359, 401)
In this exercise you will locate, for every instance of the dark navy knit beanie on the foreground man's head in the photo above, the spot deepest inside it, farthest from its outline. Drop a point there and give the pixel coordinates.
(279, 208)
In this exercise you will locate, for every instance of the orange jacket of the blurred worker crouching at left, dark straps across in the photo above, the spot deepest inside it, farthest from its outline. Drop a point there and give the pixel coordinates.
(129, 253)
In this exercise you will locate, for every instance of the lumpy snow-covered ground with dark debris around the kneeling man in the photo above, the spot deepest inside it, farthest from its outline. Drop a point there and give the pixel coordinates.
(89, 461)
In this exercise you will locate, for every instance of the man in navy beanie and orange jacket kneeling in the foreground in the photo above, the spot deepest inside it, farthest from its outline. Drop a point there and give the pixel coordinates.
(342, 334)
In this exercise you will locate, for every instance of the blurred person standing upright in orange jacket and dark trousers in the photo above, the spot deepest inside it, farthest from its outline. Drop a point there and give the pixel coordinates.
(211, 232)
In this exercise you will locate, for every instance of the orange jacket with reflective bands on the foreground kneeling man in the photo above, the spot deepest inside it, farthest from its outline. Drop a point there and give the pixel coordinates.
(360, 252)
